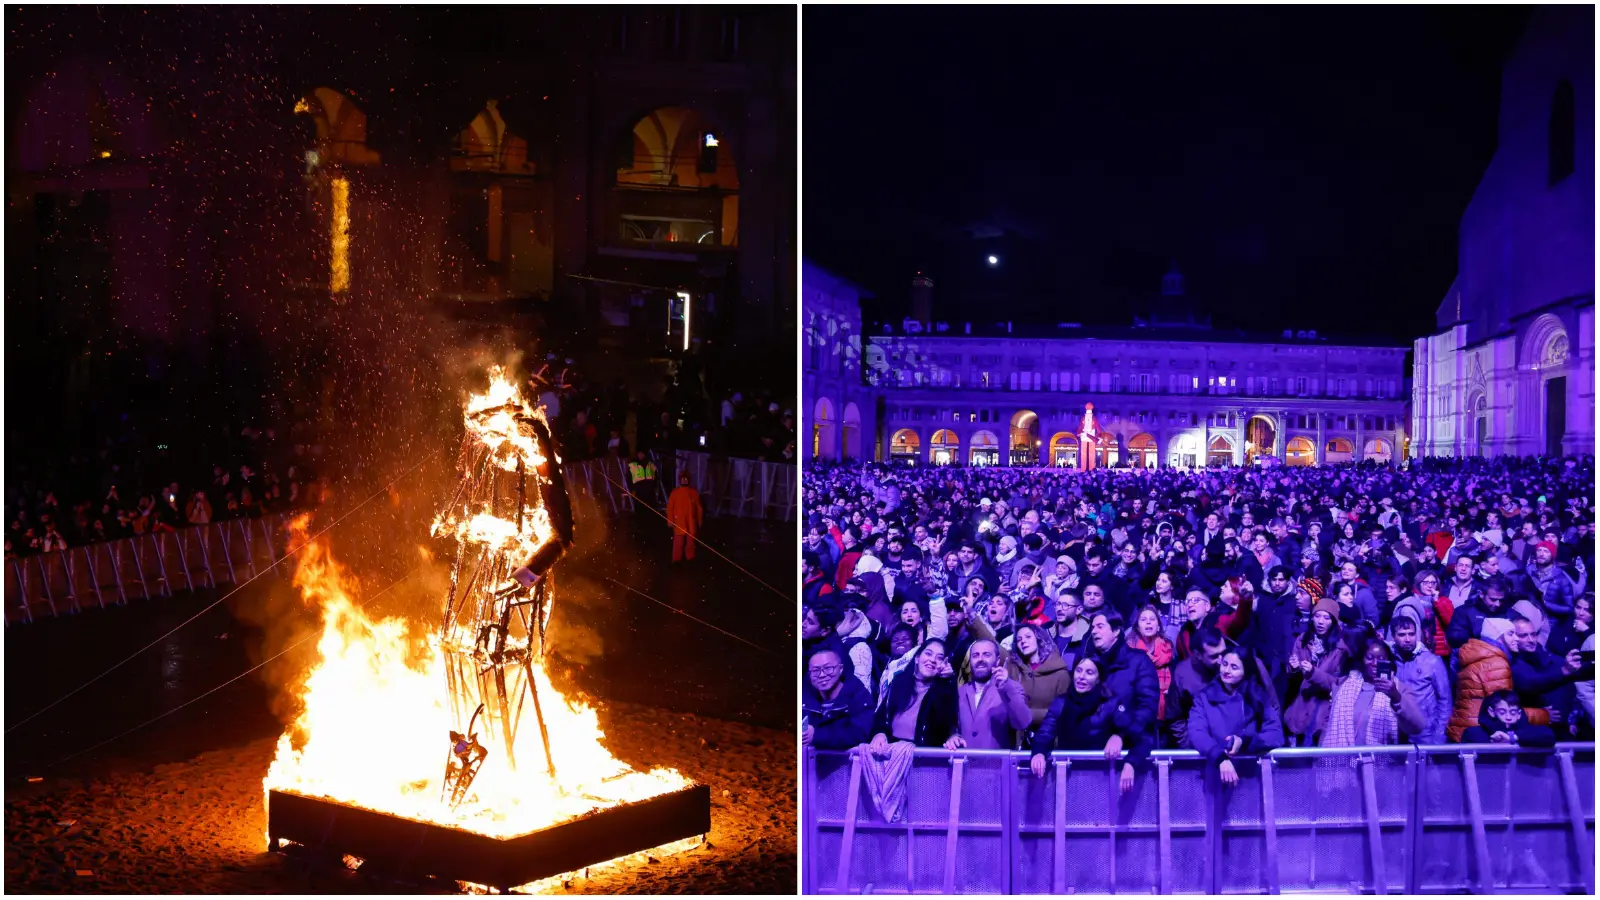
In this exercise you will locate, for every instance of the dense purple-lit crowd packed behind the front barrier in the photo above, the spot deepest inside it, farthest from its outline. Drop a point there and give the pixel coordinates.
(1222, 611)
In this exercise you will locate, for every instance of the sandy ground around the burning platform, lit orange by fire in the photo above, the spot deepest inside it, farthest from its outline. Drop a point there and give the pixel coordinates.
(198, 827)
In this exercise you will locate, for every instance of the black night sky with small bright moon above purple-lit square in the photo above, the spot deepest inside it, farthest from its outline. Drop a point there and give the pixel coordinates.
(1306, 167)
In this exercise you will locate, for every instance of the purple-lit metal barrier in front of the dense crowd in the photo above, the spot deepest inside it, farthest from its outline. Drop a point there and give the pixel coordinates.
(1382, 821)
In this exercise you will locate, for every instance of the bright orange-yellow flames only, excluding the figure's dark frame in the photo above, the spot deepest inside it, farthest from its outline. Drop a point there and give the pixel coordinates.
(375, 717)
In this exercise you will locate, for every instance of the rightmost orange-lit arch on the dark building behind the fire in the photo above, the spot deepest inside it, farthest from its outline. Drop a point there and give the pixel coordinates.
(676, 182)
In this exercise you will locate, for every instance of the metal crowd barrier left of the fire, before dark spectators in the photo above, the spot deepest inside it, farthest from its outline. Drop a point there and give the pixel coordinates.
(140, 568)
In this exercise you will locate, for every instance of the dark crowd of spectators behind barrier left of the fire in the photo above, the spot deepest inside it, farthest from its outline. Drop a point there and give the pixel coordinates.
(135, 486)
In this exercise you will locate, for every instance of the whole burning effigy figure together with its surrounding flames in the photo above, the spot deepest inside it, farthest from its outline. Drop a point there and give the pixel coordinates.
(390, 707)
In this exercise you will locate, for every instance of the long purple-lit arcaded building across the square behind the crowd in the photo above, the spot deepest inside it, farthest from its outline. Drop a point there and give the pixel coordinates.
(1164, 396)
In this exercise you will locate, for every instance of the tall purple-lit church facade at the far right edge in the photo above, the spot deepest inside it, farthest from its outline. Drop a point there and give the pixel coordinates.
(1511, 368)
